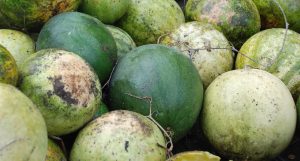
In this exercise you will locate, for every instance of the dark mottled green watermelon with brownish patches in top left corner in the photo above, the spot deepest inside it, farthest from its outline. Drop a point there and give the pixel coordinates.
(32, 14)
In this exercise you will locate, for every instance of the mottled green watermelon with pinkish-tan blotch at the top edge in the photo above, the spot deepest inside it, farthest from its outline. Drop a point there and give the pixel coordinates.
(238, 19)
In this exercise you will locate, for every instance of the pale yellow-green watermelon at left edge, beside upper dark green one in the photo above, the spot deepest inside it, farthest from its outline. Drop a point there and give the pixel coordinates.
(19, 44)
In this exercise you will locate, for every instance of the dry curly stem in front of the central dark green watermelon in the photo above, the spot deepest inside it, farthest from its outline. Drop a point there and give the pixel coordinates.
(169, 144)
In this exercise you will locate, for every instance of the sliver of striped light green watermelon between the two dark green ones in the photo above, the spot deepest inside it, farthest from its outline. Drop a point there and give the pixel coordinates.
(123, 40)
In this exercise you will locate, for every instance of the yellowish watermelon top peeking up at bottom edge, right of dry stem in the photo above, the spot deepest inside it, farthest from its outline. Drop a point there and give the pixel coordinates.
(194, 156)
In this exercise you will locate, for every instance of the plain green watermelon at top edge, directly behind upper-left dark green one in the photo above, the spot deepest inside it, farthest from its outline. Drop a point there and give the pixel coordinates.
(107, 11)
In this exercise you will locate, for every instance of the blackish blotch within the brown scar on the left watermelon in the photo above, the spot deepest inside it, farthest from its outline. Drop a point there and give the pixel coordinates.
(58, 87)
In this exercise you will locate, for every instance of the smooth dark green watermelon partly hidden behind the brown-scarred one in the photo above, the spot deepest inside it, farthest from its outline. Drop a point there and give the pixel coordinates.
(84, 35)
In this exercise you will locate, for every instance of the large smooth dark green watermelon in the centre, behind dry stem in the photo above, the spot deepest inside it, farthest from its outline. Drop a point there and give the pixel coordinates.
(165, 75)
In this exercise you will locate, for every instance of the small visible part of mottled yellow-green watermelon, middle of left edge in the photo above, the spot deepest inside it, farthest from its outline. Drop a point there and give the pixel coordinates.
(8, 67)
